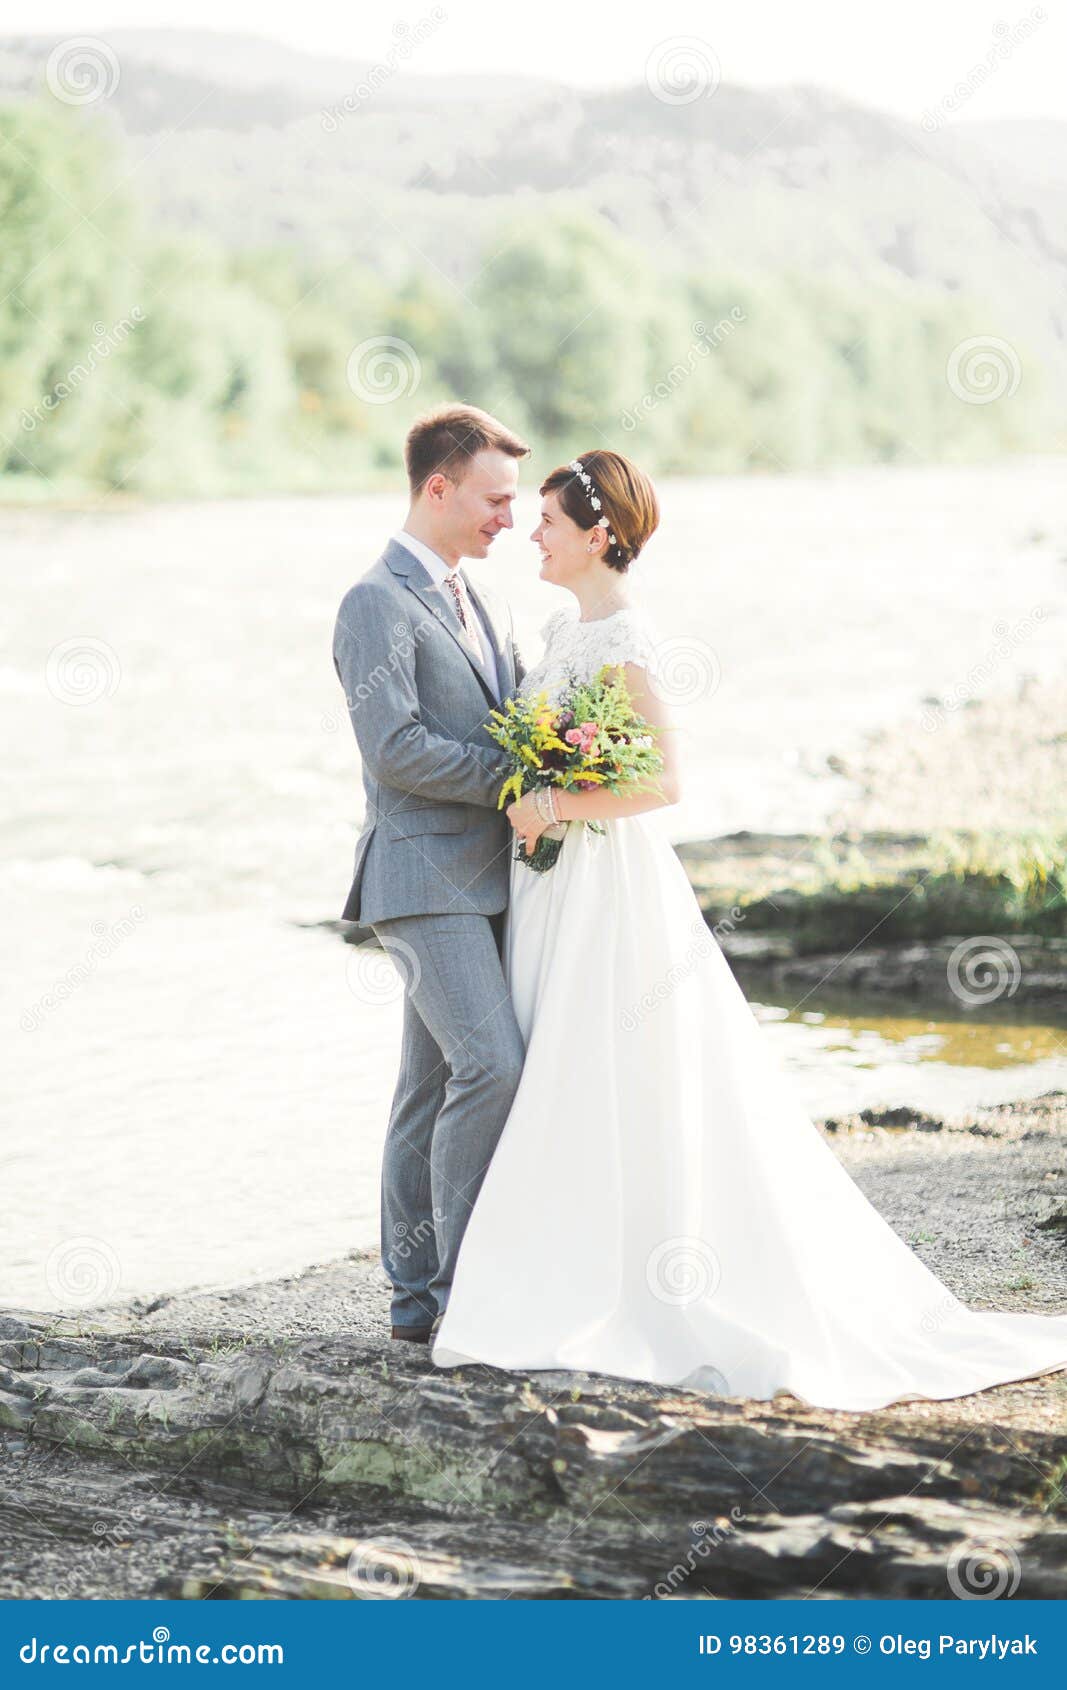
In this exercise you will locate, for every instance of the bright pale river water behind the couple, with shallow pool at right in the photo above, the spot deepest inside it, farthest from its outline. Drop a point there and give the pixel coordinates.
(197, 1076)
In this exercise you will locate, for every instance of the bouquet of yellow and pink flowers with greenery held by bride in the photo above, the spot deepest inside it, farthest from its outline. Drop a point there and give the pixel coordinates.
(593, 738)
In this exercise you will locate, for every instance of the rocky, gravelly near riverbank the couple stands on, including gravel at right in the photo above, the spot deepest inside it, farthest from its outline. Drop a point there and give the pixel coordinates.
(271, 1441)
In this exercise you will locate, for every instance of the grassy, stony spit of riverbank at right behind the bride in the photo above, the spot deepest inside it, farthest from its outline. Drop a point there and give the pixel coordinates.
(944, 875)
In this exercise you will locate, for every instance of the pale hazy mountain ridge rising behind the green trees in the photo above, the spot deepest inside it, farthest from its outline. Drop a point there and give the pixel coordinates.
(258, 144)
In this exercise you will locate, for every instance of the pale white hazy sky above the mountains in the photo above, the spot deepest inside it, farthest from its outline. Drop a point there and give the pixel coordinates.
(904, 57)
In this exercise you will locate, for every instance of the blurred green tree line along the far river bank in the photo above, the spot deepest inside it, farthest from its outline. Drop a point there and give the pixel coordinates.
(163, 364)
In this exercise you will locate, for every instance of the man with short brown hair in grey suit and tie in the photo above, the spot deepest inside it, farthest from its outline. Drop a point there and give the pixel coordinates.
(424, 657)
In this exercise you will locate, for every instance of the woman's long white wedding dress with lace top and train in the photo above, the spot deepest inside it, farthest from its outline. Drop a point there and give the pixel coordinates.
(659, 1206)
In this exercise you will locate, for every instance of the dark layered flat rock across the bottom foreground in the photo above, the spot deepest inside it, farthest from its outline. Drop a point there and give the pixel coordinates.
(322, 1468)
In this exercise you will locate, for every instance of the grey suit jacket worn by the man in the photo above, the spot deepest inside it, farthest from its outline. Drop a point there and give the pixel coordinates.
(432, 841)
